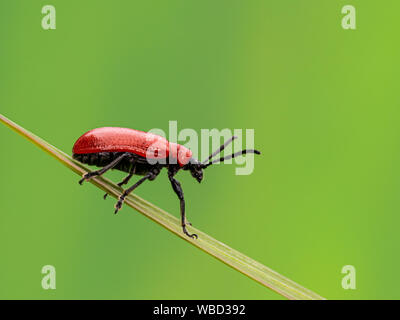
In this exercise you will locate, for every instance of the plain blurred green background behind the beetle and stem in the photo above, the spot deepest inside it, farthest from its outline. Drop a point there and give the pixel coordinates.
(324, 103)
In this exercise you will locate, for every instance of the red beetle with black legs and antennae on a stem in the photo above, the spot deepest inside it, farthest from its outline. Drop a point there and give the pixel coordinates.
(145, 154)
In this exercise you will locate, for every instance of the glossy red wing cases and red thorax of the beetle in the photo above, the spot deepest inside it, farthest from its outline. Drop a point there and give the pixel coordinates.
(144, 144)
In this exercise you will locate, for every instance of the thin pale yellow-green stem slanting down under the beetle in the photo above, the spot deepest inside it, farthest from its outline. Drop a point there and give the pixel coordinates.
(213, 247)
